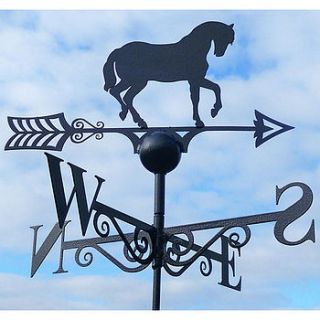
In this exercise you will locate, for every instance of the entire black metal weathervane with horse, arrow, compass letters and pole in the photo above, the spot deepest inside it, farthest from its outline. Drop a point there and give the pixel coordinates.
(128, 71)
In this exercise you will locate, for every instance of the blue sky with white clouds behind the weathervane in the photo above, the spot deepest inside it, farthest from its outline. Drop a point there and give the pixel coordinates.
(52, 62)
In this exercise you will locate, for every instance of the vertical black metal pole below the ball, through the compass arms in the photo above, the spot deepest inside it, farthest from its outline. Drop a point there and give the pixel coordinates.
(158, 222)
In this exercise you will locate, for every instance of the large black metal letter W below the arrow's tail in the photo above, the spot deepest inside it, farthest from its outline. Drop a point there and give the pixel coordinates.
(78, 191)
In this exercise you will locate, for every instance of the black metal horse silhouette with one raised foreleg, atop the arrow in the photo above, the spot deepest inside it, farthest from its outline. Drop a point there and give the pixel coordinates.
(136, 63)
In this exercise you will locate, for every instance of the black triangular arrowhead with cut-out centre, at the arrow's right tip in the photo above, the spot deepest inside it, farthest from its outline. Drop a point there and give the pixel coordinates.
(267, 125)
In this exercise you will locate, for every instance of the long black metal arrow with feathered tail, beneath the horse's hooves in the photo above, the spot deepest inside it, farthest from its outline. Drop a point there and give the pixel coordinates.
(51, 132)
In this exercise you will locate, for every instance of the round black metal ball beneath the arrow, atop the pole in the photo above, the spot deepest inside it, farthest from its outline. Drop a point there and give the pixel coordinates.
(160, 152)
